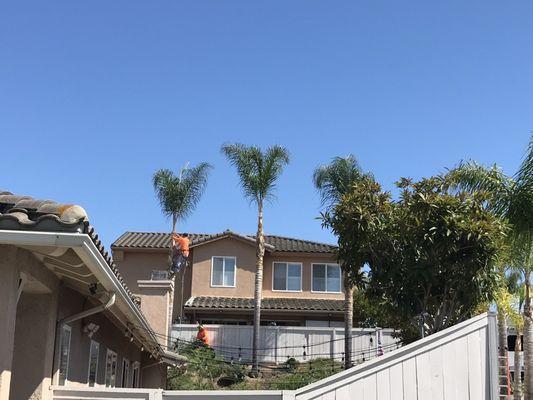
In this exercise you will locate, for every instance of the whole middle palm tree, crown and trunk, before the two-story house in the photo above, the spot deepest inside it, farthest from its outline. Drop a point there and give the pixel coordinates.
(258, 172)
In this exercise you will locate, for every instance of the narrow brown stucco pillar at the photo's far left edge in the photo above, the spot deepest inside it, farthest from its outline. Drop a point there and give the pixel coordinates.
(9, 282)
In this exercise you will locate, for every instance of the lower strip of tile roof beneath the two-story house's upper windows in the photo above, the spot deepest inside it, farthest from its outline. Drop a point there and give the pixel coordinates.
(269, 303)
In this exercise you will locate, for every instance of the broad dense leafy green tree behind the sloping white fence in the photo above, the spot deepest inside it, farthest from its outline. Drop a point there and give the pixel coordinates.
(431, 253)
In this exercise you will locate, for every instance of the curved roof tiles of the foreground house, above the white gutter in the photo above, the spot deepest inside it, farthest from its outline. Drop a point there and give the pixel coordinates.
(27, 213)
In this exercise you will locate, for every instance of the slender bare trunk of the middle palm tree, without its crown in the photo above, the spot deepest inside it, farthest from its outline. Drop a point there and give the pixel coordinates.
(260, 242)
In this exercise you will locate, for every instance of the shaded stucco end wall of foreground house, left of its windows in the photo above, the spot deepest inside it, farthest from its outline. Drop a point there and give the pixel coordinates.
(27, 328)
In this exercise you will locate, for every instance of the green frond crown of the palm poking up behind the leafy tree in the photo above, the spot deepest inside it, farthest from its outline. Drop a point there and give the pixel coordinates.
(335, 179)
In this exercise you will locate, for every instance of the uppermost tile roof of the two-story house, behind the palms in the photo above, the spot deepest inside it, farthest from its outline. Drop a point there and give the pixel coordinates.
(161, 240)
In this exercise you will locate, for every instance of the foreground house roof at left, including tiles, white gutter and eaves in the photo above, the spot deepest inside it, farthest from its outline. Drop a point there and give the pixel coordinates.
(61, 236)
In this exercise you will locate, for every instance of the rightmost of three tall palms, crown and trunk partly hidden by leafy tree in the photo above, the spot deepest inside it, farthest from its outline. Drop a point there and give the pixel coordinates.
(332, 182)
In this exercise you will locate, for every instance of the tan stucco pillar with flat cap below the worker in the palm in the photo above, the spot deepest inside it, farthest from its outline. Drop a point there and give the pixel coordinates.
(156, 305)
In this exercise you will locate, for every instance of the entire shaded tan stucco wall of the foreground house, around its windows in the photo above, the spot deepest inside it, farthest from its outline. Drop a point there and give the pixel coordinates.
(28, 331)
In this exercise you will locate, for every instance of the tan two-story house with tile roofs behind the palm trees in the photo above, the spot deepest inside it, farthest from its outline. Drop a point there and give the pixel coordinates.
(302, 282)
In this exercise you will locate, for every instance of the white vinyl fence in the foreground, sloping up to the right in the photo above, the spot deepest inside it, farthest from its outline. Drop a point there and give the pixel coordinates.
(459, 363)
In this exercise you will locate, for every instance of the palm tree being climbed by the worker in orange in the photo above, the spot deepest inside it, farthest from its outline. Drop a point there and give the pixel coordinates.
(178, 196)
